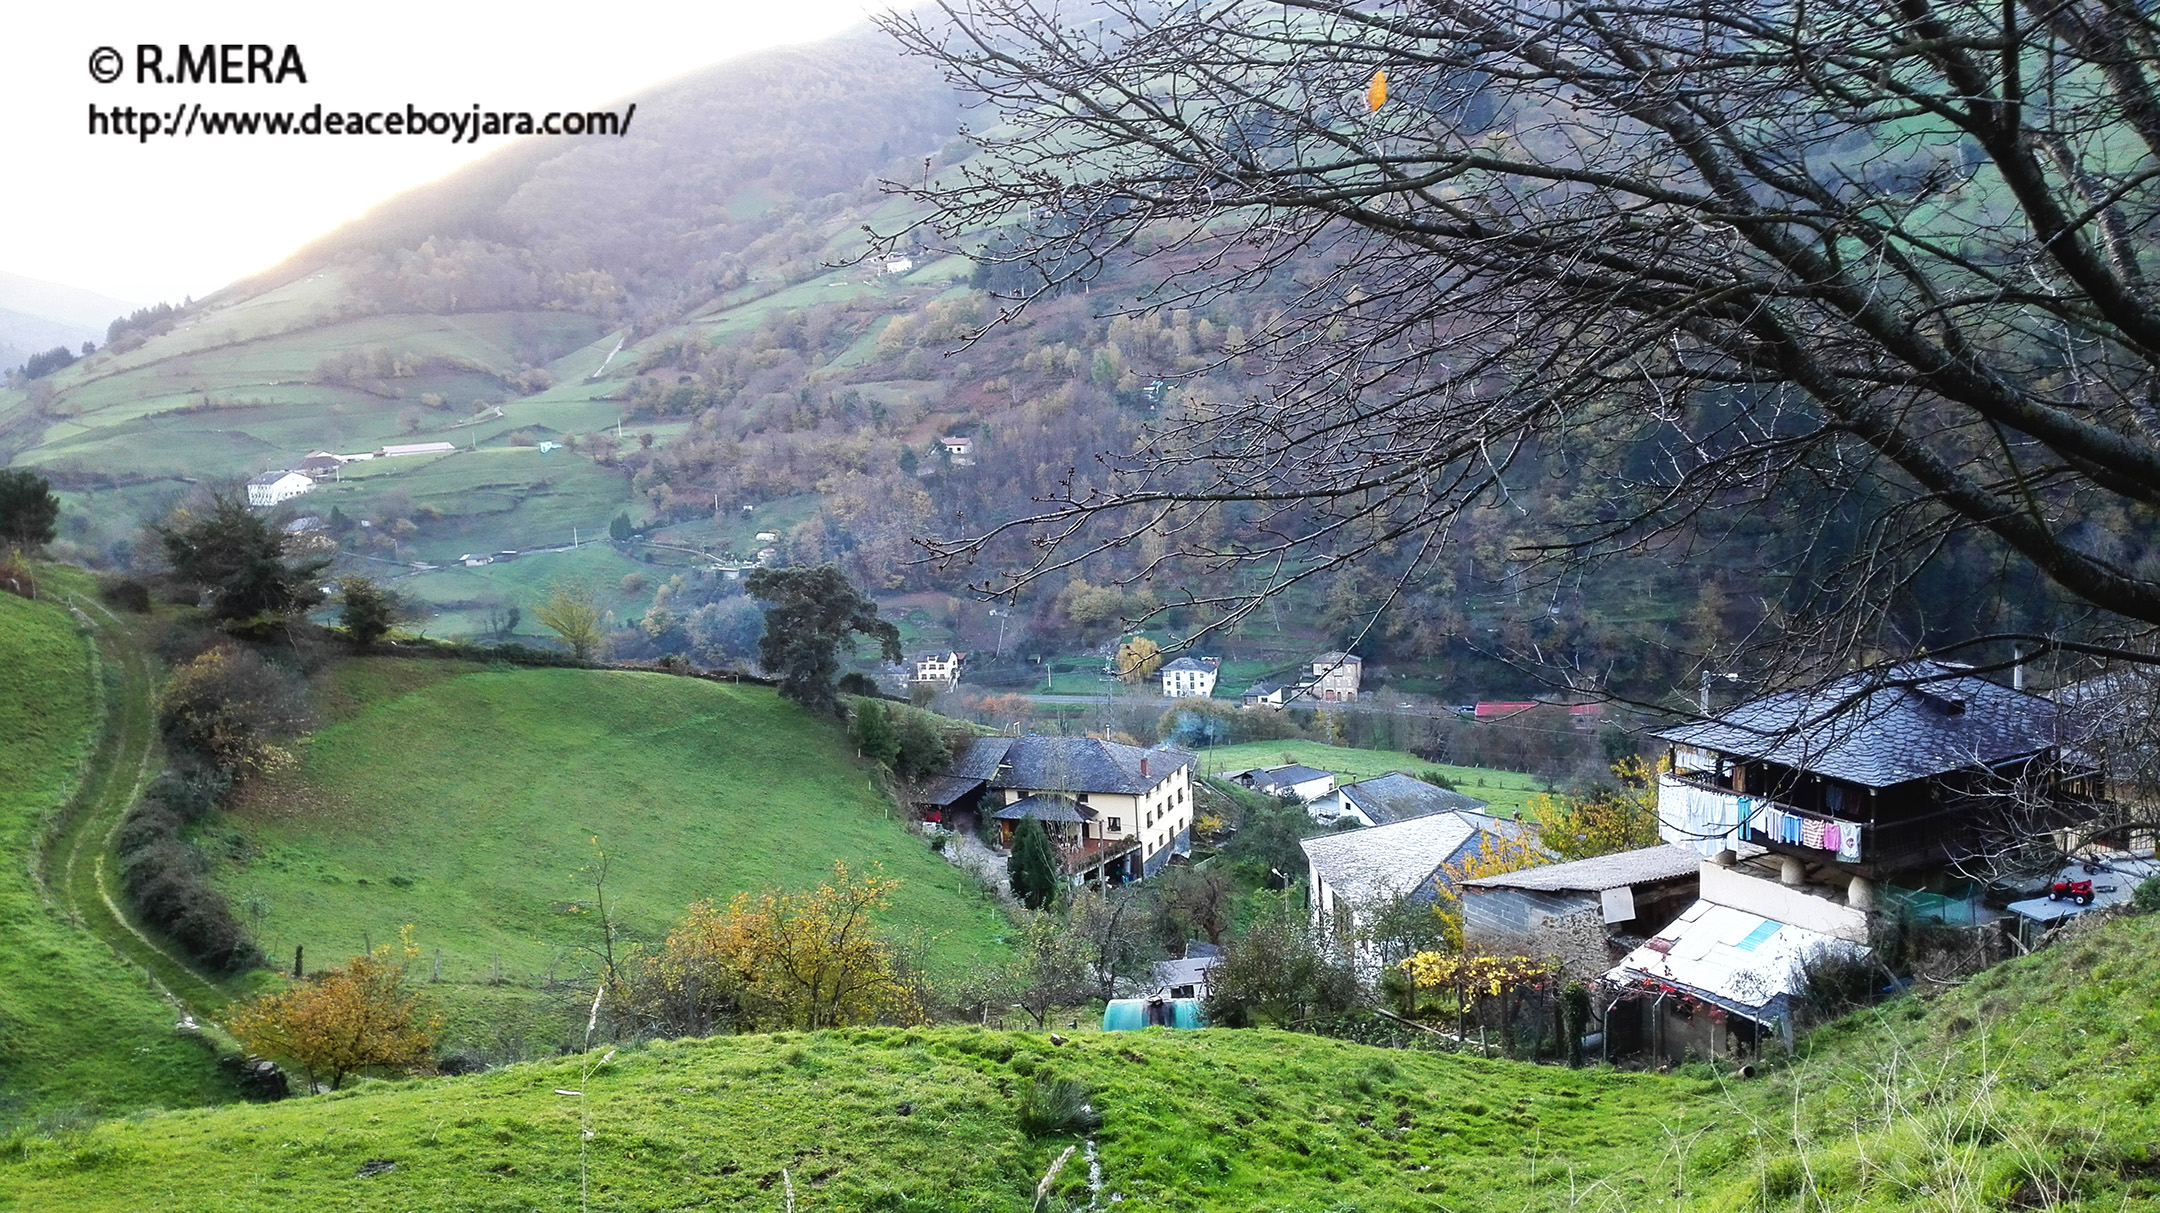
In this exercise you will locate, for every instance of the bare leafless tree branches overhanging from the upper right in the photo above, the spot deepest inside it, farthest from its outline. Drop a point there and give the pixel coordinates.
(1716, 256)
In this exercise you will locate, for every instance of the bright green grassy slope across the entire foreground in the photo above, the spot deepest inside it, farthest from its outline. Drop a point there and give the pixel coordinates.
(2027, 1089)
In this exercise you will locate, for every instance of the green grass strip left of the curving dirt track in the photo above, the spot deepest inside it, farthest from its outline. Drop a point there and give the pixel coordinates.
(79, 1031)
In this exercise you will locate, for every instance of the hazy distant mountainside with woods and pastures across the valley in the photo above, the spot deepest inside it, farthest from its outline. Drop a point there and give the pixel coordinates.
(697, 316)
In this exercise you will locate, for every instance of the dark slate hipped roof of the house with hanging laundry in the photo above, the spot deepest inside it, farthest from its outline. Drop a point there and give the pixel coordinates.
(1887, 726)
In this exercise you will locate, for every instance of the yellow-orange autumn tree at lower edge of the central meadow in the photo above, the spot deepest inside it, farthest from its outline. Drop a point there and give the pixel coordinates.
(777, 959)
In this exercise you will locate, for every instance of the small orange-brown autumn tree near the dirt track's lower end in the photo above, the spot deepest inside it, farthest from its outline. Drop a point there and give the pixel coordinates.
(345, 1022)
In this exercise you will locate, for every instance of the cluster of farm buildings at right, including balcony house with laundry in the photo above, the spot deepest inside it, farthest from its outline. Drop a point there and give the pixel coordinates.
(1792, 826)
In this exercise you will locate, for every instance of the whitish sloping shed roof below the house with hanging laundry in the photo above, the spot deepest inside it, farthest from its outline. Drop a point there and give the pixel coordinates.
(1731, 957)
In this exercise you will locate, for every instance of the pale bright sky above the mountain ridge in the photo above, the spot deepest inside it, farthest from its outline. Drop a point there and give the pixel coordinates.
(185, 217)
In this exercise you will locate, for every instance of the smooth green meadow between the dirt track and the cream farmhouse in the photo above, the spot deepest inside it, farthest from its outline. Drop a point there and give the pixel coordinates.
(474, 806)
